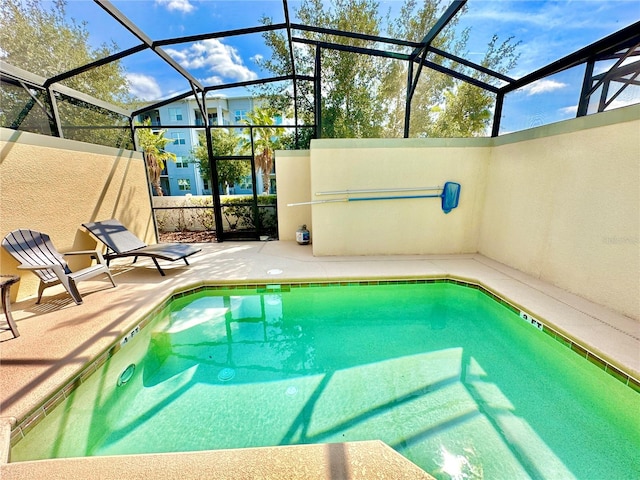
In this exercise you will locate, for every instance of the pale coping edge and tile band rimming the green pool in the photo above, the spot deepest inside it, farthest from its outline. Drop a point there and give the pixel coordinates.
(21, 427)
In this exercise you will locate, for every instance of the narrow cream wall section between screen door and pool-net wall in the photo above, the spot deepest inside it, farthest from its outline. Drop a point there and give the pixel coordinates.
(293, 177)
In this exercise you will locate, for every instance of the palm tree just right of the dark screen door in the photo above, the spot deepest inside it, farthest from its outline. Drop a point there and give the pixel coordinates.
(266, 139)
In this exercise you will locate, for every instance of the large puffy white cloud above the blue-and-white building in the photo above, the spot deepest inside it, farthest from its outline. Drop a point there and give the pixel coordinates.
(217, 58)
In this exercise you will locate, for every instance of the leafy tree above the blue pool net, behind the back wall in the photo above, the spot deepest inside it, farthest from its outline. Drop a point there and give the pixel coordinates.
(443, 106)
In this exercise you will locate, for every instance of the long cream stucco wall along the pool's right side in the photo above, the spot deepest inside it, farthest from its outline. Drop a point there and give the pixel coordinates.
(564, 205)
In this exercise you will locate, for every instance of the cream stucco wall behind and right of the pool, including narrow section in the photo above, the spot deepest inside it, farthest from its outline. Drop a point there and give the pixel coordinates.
(559, 202)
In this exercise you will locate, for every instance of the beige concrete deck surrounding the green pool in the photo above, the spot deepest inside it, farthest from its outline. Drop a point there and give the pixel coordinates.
(58, 338)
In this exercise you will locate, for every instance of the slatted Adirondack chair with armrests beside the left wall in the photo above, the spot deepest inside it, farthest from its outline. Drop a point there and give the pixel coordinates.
(35, 251)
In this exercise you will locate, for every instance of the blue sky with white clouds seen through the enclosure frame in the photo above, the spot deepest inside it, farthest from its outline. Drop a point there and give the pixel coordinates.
(546, 30)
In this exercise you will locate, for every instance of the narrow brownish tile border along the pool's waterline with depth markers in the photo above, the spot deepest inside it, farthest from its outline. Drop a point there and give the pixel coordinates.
(22, 427)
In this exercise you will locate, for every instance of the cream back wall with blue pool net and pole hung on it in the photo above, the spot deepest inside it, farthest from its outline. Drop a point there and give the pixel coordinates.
(402, 226)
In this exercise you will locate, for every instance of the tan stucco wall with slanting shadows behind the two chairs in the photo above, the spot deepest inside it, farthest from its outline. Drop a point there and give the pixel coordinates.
(54, 185)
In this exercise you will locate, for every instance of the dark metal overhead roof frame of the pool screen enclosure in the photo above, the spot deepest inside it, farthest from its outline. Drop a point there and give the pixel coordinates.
(627, 38)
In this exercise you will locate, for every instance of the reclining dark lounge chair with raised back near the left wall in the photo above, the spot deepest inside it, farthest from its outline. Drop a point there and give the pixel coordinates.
(121, 242)
